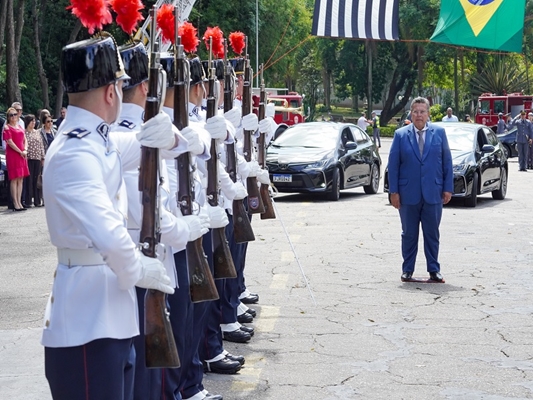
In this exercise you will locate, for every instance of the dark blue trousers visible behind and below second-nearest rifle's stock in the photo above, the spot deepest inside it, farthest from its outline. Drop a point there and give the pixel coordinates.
(195, 373)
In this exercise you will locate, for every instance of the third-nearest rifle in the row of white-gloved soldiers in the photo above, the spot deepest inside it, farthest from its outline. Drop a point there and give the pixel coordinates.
(223, 262)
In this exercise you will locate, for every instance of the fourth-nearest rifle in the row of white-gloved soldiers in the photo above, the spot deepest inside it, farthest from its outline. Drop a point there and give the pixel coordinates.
(242, 228)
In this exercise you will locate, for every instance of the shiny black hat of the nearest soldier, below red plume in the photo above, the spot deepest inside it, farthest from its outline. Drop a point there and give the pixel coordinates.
(91, 64)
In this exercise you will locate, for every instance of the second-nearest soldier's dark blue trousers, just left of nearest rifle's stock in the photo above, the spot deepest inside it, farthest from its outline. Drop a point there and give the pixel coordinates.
(147, 384)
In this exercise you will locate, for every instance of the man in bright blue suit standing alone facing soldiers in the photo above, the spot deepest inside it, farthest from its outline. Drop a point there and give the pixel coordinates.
(420, 182)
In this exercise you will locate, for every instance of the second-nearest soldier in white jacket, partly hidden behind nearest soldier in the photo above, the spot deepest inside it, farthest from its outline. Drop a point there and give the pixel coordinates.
(175, 231)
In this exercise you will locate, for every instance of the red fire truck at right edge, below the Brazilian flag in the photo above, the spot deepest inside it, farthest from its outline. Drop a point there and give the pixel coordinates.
(490, 105)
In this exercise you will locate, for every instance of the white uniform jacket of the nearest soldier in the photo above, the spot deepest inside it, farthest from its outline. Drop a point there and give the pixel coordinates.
(82, 179)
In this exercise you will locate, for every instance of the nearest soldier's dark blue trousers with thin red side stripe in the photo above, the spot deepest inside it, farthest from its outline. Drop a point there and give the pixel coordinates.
(99, 370)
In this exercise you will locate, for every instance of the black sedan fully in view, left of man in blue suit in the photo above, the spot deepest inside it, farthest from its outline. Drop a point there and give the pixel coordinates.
(324, 157)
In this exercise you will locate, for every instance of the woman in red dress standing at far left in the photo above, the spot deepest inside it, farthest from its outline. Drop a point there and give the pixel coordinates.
(16, 156)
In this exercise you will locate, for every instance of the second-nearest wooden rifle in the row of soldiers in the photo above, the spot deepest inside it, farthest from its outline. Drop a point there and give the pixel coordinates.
(201, 282)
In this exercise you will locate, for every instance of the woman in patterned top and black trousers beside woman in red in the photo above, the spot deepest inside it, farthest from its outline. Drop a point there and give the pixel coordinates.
(35, 162)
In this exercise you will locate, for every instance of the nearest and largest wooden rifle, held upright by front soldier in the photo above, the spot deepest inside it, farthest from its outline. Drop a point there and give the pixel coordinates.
(160, 347)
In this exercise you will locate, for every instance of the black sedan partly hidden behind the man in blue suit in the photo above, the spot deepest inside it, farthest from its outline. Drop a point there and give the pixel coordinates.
(479, 162)
